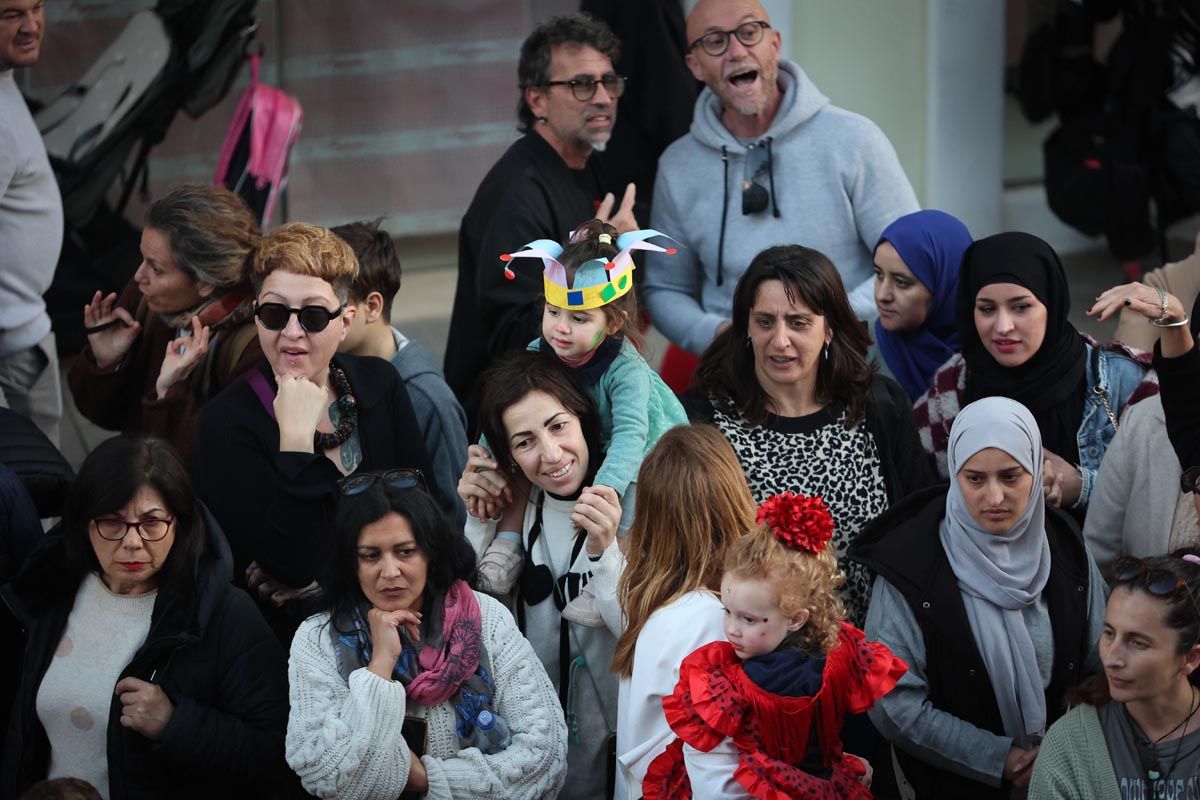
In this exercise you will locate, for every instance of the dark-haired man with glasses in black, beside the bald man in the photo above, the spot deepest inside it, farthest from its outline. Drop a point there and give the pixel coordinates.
(543, 188)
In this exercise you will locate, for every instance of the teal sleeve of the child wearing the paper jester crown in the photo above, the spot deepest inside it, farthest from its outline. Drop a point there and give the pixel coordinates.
(628, 388)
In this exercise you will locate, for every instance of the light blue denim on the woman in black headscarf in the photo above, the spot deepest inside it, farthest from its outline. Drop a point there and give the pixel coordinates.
(1113, 375)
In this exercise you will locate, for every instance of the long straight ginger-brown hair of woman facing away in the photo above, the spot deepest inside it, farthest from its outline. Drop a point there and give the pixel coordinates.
(693, 502)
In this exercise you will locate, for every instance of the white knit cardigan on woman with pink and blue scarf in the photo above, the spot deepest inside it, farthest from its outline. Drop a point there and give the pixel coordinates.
(345, 741)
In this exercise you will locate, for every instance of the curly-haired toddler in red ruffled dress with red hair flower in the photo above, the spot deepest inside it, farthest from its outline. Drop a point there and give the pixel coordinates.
(772, 699)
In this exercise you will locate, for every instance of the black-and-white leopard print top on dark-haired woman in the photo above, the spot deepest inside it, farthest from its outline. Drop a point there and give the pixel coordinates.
(817, 455)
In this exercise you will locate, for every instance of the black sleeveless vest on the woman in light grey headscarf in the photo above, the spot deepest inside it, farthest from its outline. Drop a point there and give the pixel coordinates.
(903, 548)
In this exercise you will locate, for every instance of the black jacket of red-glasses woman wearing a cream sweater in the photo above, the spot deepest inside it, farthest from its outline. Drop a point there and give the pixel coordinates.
(212, 653)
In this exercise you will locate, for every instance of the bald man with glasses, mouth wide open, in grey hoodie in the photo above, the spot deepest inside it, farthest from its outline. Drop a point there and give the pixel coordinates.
(769, 161)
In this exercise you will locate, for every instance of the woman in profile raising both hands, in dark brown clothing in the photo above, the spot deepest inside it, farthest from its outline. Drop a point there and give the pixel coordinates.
(182, 330)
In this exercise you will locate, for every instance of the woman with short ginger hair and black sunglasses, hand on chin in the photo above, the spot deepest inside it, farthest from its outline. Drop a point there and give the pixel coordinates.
(273, 448)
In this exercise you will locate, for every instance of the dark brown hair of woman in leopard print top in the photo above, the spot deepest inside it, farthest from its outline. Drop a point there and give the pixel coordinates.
(728, 365)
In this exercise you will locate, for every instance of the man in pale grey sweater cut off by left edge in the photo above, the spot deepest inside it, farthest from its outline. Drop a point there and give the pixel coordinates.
(31, 232)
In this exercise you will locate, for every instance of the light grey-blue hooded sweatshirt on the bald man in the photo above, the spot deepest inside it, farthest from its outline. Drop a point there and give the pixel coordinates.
(838, 184)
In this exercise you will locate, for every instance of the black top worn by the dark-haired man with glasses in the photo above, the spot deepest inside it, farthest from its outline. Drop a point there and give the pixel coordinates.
(530, 194)
